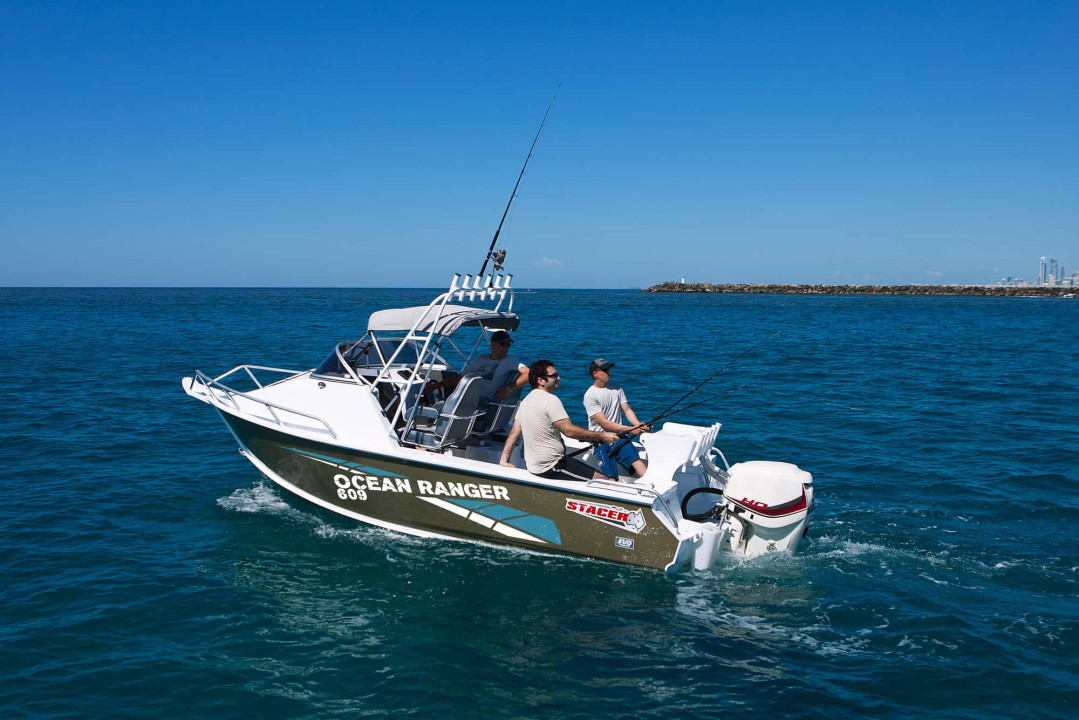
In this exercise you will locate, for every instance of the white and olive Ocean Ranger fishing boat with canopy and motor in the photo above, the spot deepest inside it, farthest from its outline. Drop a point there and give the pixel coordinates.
(359, 437)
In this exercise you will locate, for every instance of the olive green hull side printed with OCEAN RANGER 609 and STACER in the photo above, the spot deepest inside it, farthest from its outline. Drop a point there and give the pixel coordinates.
(428, 498)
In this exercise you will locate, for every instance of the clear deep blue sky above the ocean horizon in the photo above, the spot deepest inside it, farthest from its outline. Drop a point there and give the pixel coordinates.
(352, 144)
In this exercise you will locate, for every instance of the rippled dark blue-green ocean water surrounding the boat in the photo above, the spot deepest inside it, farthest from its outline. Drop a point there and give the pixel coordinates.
(149, 572)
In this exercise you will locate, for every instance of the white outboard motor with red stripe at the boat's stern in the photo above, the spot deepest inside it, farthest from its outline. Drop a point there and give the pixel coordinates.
(769, 505)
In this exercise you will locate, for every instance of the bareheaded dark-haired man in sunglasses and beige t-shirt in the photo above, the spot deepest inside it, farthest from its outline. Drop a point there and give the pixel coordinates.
(542, 422)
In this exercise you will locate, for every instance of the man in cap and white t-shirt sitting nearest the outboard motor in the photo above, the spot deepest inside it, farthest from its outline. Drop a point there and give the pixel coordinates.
(605, 405)
